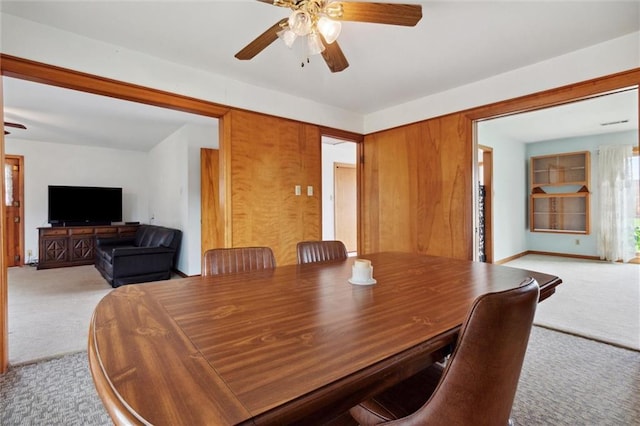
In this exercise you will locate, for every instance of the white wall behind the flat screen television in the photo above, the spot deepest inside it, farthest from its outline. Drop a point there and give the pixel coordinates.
(56, 164)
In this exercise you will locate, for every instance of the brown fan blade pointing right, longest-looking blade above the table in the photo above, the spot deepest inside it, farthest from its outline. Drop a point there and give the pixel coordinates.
(382, 13)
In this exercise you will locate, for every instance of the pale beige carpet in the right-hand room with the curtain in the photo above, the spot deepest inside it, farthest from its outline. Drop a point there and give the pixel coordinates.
(598, 300)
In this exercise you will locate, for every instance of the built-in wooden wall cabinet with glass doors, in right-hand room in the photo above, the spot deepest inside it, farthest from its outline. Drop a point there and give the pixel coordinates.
(559, 200)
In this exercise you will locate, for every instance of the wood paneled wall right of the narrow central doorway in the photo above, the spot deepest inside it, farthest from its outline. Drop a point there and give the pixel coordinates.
(416, 188)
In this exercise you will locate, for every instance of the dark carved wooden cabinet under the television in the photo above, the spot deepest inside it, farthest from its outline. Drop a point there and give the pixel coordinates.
(74, 245)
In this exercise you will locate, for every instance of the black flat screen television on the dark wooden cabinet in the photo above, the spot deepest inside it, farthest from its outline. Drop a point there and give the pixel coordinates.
(84, 205)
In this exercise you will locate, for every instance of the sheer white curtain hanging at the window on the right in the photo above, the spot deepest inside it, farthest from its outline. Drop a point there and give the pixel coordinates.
(617, 201)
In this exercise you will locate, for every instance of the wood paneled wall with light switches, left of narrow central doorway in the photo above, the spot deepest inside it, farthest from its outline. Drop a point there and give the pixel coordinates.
(265, 157)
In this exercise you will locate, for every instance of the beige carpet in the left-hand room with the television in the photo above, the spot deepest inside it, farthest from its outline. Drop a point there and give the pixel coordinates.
(50, 310)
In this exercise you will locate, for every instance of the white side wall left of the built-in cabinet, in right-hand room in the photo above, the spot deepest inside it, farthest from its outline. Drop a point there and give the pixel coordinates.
(509, 194)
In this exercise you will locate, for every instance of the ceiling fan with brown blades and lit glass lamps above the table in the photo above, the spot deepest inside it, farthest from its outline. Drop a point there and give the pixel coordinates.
(319, 21)
